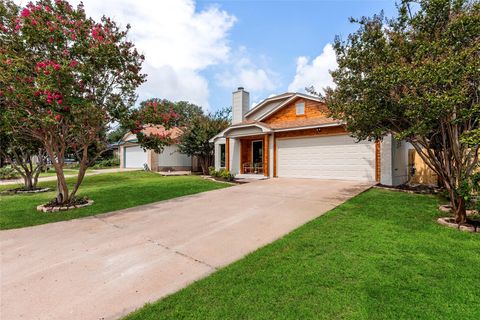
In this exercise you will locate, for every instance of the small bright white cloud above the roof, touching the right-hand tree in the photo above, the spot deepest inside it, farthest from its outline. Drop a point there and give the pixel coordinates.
(315, 73)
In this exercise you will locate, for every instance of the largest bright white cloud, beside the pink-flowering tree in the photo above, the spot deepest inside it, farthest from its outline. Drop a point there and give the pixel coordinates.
(178, 43)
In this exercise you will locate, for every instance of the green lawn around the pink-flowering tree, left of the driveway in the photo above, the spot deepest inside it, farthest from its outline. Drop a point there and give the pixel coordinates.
(110, 191)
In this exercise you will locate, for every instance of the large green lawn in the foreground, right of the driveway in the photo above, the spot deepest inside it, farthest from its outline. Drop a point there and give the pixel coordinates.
(381, 255)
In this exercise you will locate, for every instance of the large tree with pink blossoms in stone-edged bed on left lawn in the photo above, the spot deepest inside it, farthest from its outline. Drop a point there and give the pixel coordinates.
(63, 78)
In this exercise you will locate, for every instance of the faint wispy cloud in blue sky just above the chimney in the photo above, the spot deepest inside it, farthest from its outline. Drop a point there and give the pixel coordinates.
(244, 73)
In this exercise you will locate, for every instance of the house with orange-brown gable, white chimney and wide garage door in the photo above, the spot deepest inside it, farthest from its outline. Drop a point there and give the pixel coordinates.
(291, 135)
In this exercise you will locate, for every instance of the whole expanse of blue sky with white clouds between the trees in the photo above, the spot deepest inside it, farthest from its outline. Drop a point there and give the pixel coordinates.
(200, 51)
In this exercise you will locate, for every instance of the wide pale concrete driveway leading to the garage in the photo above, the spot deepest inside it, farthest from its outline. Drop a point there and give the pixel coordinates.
(106, 266)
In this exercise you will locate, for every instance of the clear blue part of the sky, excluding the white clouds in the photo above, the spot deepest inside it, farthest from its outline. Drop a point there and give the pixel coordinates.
(276, 33)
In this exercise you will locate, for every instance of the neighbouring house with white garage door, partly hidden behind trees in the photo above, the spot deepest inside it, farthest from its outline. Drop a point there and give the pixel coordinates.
(132, 154)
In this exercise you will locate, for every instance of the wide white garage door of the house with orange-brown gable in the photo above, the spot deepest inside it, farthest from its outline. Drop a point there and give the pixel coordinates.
(331, 157)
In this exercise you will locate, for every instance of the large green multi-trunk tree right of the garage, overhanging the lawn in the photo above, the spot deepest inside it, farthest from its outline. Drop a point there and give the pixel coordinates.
(417, 77)
